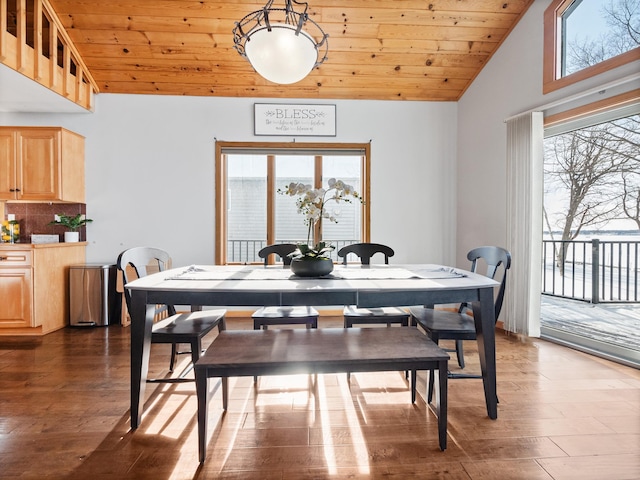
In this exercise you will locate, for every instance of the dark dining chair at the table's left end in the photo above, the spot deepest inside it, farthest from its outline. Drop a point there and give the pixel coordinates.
(169, 327)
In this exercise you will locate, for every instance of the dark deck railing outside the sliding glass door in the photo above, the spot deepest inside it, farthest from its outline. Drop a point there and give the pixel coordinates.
(592, 270)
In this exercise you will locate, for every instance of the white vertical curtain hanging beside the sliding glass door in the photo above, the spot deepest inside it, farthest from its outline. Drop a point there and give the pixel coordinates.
(524, 222)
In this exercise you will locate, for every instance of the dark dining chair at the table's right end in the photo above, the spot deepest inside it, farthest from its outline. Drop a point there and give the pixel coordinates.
(460, 325)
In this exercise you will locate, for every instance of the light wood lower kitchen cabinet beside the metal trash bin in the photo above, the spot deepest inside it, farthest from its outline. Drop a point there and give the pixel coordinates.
(34, 286)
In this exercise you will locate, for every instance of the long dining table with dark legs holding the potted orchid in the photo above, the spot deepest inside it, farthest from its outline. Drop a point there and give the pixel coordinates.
(365, 286)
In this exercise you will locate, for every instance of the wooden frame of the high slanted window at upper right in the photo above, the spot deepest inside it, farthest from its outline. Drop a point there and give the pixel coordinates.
(552, 50)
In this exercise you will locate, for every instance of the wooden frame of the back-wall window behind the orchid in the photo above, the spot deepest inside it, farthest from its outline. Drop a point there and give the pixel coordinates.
(268, 149)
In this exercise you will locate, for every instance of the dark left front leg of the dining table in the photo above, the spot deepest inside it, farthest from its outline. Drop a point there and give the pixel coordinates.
(141, 323)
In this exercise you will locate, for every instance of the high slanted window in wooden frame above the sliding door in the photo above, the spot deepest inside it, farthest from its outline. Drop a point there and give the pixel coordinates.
(585, 38)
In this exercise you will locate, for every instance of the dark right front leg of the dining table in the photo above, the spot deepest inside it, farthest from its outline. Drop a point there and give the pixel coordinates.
(484, 315)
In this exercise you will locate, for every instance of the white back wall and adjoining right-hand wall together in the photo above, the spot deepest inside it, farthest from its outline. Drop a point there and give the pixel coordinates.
(438, 169)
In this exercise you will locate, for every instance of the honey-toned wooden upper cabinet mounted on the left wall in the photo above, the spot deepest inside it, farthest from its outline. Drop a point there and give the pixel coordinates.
(41, 164)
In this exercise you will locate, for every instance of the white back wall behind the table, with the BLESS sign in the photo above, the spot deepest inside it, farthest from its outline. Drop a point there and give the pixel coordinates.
(150, 170)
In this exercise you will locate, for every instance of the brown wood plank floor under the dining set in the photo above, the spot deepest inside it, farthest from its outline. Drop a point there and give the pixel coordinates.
(64, 414)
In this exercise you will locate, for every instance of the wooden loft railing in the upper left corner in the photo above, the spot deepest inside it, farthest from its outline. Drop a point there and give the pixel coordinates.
(34, 43)
